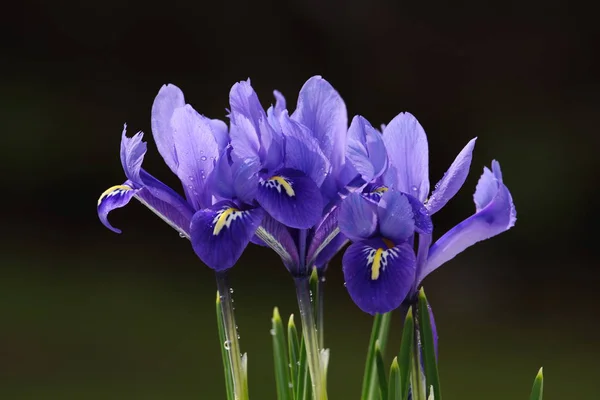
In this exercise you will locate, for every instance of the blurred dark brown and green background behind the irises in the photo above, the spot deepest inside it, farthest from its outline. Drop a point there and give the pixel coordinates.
(88, 314)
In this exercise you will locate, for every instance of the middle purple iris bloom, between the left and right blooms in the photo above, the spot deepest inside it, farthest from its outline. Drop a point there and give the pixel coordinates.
(291, 165)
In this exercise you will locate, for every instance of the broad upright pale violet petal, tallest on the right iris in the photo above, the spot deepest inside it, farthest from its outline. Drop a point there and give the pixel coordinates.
(406, 145)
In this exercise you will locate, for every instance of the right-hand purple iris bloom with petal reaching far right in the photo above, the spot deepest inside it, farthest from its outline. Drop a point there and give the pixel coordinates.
(381, 268)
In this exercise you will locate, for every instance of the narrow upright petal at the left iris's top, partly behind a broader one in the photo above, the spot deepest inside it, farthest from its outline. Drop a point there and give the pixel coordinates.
(169, 98)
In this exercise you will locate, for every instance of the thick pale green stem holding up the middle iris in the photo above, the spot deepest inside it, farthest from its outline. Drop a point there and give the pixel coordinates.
(310, 338)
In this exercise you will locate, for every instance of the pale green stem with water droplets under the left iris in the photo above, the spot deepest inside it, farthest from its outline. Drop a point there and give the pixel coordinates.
(231, 344)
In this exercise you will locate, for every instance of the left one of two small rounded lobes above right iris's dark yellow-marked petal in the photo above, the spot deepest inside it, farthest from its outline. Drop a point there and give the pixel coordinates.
(358, 217)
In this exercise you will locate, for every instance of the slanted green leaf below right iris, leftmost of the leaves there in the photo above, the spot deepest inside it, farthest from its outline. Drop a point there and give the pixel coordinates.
(379, 332)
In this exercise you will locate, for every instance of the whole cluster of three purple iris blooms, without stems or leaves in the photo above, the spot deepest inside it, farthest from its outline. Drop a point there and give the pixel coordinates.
(305, 184)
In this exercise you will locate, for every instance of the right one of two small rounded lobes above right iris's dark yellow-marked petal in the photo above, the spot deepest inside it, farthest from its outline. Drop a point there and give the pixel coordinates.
(396, 218)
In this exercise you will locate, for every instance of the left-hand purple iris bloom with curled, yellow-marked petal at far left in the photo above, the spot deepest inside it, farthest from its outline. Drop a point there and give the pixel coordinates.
(194, 147)
